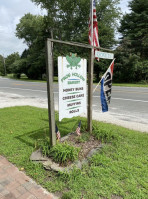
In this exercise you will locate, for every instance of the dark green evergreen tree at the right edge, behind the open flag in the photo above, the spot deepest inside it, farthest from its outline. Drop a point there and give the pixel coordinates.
(132, 52)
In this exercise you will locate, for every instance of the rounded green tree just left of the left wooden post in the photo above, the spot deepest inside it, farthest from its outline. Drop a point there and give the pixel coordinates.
(31, 29)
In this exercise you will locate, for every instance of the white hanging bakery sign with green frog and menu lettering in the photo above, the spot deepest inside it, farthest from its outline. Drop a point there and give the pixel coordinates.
(72, 86)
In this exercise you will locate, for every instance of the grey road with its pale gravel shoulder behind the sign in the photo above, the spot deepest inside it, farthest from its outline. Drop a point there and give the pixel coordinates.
(129, 105)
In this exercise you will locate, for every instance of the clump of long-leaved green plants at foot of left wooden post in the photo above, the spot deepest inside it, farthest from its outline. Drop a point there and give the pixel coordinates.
(63, 152)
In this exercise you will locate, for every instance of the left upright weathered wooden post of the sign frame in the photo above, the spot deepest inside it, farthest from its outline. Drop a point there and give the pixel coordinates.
(49, 72)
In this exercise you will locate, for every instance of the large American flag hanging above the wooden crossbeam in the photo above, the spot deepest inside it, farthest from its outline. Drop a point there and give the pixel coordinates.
(95, 28)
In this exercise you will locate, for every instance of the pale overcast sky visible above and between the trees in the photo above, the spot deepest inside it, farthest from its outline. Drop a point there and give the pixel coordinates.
(11, 12)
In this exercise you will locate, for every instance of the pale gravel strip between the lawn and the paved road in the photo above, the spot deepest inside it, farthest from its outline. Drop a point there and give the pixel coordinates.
(9, 100)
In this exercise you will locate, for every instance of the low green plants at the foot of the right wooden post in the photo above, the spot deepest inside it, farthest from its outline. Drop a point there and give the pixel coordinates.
(104, 134)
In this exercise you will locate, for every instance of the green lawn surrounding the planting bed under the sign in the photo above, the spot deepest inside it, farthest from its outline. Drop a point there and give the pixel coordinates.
(119, 170)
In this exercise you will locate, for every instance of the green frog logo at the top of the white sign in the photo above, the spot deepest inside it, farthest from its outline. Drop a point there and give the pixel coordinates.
(73, 61)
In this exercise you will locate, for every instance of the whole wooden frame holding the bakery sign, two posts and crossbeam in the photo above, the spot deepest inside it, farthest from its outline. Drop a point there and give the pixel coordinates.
(49, 66)
